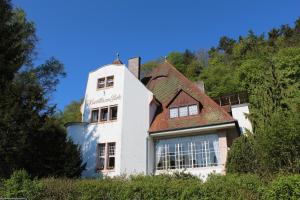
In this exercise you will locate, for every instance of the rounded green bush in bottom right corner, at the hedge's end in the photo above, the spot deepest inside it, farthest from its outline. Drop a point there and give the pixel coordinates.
(284, 187)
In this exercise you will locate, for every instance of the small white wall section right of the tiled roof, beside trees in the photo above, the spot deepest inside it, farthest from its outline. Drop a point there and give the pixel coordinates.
(238, 113)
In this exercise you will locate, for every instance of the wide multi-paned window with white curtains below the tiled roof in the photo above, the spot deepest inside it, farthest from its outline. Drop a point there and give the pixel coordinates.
(187, 152)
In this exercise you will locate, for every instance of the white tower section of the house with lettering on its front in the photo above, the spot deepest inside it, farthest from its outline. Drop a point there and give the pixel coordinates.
(128, 132)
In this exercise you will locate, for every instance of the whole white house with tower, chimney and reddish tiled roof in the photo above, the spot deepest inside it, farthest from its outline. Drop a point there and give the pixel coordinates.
(160, 124)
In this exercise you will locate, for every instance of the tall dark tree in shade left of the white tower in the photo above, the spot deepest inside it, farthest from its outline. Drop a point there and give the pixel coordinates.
(30, 137)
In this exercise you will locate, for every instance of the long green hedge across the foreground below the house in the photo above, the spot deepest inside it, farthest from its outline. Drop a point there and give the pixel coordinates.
(231, 186)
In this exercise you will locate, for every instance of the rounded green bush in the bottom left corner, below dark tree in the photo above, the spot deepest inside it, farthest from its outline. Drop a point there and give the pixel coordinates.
(20, 185)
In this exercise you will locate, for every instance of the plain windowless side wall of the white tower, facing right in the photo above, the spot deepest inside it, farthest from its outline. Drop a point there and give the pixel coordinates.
(135, 125)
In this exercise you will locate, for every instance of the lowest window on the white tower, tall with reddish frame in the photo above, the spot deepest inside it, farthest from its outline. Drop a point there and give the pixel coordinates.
(106, 158)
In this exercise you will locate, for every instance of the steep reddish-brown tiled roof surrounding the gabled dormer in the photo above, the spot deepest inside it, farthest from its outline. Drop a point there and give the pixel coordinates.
(165, 81)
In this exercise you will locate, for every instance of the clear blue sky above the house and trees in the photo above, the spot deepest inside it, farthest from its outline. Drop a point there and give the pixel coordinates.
(87, 34)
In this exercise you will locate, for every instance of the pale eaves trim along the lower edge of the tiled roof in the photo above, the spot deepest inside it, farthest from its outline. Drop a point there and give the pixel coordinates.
(193, 130)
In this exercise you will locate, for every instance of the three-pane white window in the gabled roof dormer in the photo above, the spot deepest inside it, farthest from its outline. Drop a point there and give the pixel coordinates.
(184, 111)
